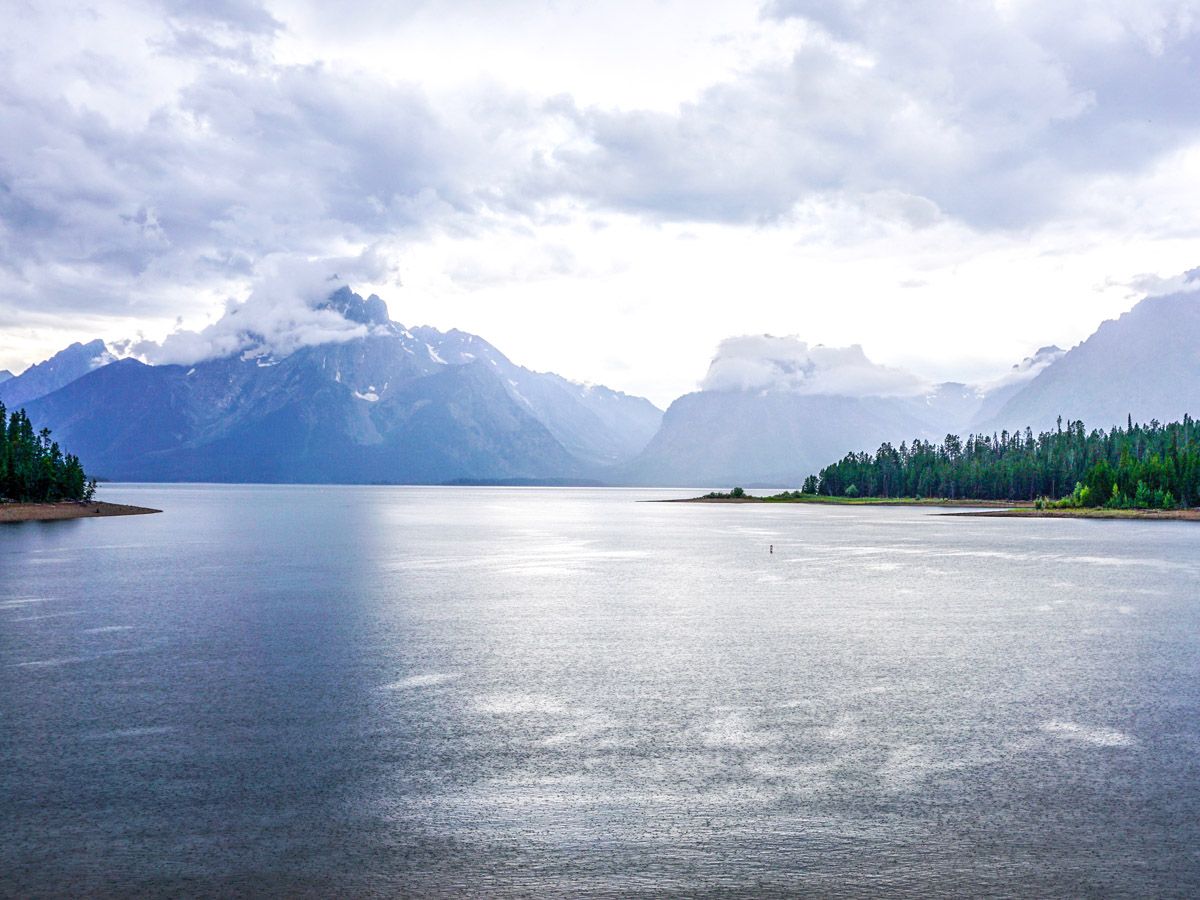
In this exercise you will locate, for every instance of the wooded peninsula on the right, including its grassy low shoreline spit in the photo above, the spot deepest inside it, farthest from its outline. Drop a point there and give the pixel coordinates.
(1139, 472)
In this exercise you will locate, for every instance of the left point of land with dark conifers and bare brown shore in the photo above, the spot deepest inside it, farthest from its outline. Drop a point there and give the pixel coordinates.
(40, 483)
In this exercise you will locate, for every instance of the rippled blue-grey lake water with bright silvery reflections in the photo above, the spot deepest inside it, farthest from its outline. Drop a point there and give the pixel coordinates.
(381, 691)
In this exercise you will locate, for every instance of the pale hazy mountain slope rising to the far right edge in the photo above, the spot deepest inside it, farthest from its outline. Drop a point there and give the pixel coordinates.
(1145, 364)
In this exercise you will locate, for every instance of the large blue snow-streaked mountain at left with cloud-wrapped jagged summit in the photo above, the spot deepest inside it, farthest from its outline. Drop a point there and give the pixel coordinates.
(380, 403)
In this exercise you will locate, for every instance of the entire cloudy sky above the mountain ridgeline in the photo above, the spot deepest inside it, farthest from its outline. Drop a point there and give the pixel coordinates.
(605, 190)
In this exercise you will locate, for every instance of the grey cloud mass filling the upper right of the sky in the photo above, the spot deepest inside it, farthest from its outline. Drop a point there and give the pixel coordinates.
(997, 115)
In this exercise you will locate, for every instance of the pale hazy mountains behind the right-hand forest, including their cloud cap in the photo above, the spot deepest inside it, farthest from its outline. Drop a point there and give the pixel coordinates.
(773, 410)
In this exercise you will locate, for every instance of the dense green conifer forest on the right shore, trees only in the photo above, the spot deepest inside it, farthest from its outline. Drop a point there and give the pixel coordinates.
(1139, 466)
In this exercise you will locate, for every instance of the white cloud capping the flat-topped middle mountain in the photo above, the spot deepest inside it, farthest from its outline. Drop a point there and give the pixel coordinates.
(764, 363)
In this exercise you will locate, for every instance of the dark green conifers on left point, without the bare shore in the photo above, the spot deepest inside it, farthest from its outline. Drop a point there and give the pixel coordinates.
(33, 469)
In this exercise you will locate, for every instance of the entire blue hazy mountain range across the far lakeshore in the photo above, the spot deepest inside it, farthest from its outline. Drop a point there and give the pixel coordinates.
(422, 406)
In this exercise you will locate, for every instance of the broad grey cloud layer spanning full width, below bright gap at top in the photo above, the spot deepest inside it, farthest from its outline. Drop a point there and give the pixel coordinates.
(994, 115)
